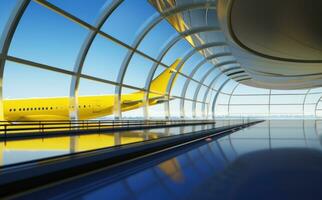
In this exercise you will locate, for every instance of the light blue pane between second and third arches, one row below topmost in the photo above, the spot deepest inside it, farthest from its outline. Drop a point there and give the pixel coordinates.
(104, 59)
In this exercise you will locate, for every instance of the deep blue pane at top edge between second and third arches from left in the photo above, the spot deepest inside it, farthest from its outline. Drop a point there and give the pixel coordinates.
(126, 22)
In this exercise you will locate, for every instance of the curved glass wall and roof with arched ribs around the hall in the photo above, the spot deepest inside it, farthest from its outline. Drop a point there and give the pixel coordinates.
(75, 48)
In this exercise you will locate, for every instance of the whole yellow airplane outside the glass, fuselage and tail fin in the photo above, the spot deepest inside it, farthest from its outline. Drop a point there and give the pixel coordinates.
(90, 107)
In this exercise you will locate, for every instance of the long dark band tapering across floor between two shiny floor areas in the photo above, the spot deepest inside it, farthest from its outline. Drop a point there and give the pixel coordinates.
(21, 177)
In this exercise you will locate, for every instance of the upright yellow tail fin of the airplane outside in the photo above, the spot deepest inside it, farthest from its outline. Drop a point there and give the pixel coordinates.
(160, 83)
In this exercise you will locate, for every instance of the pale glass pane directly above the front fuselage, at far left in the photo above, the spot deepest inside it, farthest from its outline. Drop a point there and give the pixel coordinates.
(22, 81)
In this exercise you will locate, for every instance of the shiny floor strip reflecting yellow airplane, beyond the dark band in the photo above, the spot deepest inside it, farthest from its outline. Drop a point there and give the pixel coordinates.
(17, 151)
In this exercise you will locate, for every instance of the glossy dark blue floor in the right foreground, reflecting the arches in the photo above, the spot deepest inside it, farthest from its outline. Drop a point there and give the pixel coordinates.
(271, 160)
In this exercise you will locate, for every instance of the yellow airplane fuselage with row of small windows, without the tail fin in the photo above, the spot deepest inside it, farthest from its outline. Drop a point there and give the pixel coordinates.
(89, 107)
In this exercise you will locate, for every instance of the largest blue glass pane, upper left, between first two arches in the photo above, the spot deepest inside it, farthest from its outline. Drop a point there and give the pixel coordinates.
(46, 37)
